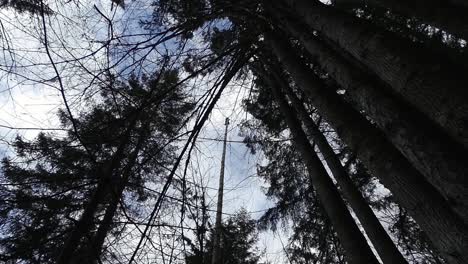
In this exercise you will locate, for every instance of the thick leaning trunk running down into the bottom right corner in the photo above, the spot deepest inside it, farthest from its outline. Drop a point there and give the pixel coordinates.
(443, 226)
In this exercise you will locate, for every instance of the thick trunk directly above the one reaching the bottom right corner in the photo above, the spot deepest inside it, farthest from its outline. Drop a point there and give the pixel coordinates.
(441, 160)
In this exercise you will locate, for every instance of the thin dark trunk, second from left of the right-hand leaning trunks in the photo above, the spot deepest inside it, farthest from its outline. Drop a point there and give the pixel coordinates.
(384, 245)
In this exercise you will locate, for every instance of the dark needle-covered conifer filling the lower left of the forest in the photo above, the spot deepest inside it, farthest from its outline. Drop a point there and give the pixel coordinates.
(54, 182)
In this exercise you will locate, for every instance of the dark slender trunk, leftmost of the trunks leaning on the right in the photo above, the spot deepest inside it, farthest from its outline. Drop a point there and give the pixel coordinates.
(354, 243)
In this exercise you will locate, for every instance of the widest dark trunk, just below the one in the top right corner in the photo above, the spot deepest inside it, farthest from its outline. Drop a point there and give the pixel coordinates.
(434, 86)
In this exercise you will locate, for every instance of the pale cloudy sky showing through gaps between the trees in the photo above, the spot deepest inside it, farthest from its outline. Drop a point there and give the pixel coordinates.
(30, 95)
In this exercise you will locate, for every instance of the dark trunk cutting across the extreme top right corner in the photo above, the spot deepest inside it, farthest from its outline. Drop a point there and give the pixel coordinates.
(438, 13)
